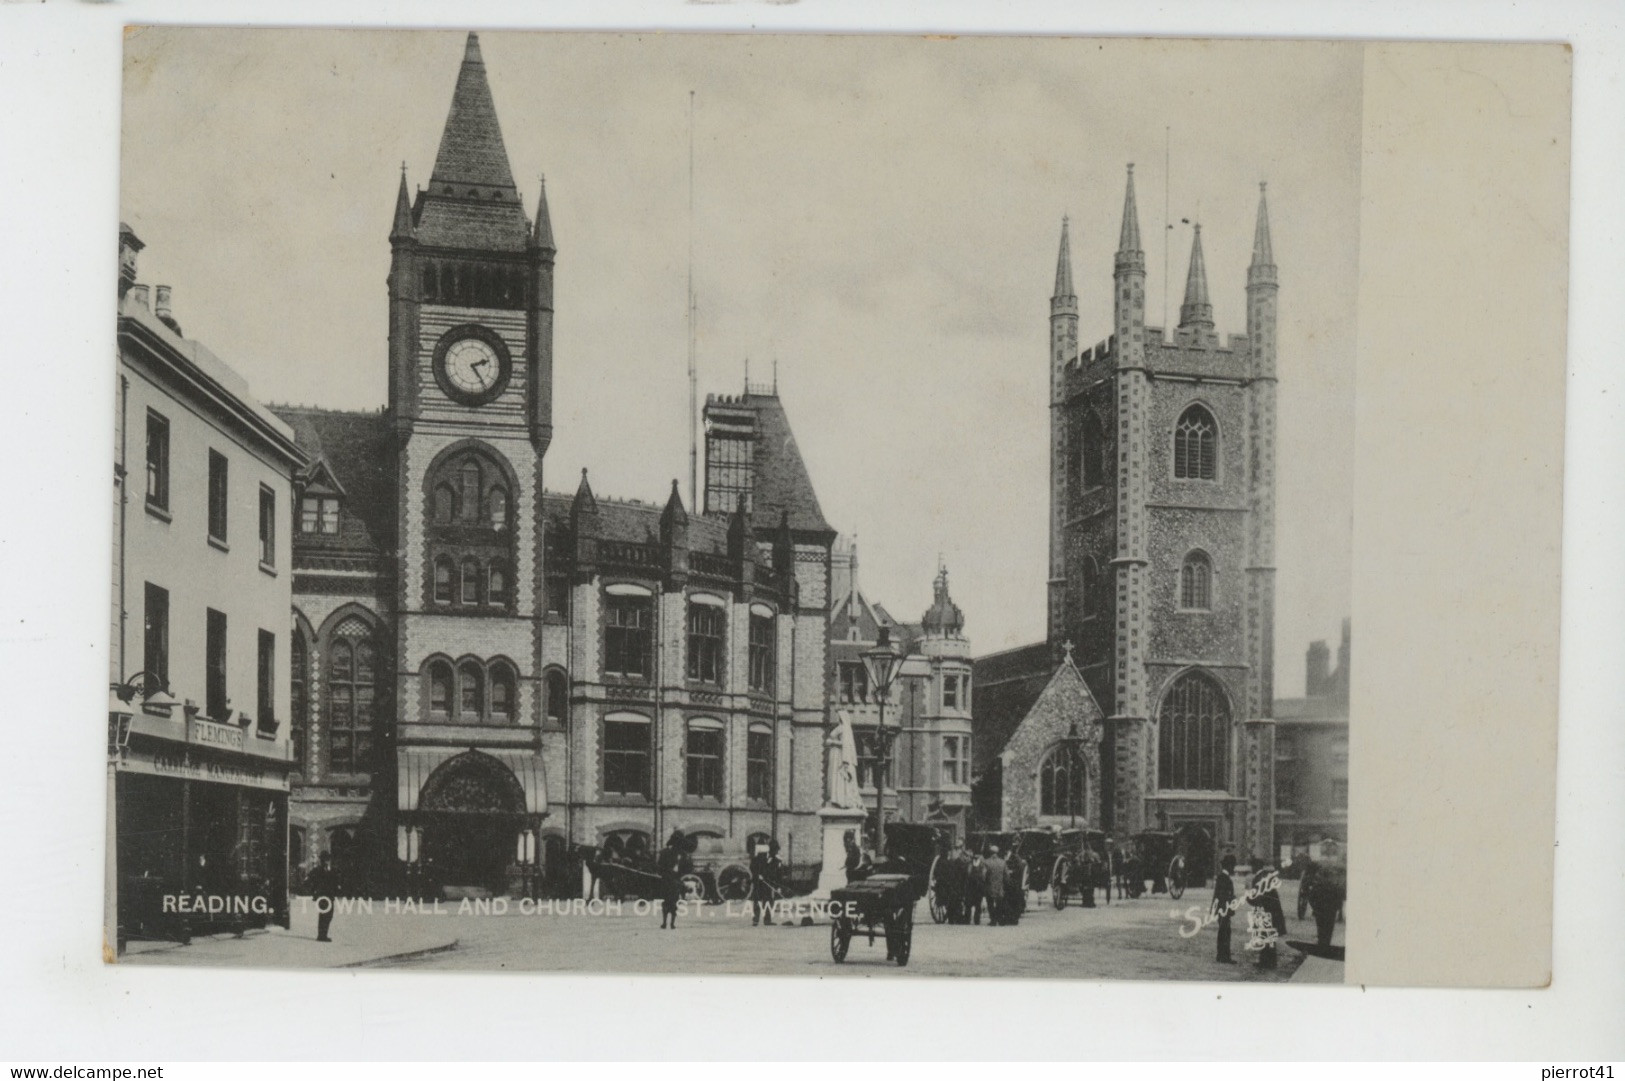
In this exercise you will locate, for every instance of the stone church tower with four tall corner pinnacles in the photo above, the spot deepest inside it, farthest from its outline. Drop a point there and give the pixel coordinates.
(1163, 545)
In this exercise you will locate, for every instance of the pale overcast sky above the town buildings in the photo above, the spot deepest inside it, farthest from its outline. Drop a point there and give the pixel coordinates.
(878, 217)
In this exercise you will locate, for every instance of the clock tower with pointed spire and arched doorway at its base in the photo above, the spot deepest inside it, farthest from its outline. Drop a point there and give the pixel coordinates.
(472, 415)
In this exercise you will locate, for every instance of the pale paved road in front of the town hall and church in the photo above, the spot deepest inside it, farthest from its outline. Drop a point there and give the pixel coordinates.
(1125, 940)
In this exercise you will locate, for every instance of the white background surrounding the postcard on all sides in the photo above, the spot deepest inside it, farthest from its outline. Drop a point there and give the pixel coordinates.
(59, 209)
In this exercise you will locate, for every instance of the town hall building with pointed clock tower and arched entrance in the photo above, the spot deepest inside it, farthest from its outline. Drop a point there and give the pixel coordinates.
(488, 675)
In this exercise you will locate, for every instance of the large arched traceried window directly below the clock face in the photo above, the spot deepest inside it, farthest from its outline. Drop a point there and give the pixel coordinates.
(470, 537)
